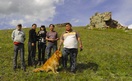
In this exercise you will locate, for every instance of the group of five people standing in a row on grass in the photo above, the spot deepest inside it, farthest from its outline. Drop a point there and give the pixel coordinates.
(47, 42)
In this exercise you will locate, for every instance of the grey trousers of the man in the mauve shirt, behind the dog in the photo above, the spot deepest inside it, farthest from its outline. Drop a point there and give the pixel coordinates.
(49, 47)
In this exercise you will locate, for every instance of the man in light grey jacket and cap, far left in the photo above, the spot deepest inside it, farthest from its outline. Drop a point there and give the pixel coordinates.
(18, 37)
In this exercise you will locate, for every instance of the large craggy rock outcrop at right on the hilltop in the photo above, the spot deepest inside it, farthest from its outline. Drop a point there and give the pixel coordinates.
(103, 20)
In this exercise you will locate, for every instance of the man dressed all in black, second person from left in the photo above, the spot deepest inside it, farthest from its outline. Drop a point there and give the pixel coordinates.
(32, 46)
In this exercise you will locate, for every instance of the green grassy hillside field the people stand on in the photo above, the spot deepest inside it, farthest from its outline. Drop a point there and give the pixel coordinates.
(106, 56)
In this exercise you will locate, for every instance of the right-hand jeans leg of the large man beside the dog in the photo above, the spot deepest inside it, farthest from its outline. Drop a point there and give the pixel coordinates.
(73, 57)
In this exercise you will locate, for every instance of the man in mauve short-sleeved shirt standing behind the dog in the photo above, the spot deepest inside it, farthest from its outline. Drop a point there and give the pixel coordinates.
(51, 37)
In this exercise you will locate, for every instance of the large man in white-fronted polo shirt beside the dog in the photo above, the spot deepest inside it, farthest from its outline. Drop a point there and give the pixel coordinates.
(70, 41)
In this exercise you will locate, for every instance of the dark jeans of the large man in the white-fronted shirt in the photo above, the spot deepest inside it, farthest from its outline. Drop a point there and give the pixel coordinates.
(73, 56)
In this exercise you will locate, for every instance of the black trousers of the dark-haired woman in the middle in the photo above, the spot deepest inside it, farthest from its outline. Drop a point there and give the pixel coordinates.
(41, 51)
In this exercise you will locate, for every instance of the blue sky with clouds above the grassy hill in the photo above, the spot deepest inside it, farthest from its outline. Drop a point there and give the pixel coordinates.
(45, 12)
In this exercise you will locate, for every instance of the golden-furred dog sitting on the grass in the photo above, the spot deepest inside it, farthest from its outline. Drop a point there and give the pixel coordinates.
(51, 64)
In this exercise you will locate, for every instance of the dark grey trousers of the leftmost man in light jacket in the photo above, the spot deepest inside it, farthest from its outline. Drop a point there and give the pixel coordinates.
(18, 48)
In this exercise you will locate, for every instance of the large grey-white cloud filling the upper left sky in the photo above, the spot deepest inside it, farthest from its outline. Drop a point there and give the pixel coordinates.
(28, 11)
